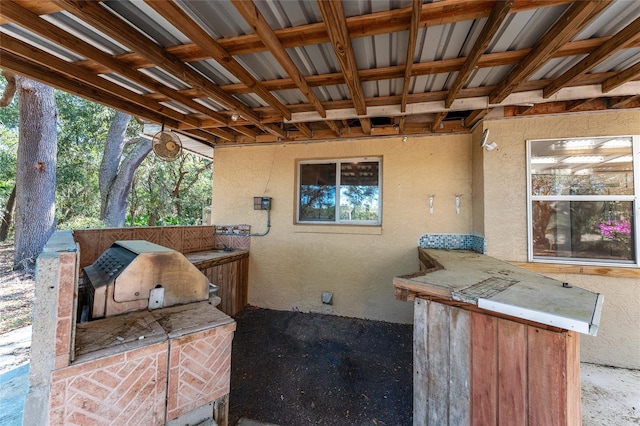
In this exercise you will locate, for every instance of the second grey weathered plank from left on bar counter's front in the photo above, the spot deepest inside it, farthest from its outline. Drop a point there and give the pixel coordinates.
(438, 363)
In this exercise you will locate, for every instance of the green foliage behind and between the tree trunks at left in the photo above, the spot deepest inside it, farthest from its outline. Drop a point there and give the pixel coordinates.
(82, 131)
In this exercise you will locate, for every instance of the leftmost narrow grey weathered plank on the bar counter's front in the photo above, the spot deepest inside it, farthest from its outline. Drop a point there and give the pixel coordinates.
(420, 359)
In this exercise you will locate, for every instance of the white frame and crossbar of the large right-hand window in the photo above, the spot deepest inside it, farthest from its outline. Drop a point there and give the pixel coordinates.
(635, 199)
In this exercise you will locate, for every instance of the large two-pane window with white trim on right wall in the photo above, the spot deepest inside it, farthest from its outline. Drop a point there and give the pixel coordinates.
(582, 200)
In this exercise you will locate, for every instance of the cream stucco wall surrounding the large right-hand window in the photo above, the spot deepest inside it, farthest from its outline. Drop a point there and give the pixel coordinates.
(505, 221)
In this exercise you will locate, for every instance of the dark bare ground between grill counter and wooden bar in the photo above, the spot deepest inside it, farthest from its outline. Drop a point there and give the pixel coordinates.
(291, 368)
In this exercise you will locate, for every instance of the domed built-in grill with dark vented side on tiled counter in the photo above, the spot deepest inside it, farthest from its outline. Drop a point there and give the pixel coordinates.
(135, 275)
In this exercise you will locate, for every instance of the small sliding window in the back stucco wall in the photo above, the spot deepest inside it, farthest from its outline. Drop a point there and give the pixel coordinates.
(345, 191)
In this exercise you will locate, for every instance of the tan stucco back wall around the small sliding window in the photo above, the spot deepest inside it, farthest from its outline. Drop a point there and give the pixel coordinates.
(292, 265)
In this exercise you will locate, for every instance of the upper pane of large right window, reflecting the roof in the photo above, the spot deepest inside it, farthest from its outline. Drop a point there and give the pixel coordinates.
(601, 166)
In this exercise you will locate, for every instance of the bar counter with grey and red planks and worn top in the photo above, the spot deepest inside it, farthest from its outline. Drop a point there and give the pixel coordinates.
(495, 344)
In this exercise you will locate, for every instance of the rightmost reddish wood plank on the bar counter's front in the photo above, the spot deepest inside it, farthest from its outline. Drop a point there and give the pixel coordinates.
(547, 383)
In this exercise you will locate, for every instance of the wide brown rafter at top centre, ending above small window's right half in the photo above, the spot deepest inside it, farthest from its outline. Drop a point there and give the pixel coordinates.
(336, 25)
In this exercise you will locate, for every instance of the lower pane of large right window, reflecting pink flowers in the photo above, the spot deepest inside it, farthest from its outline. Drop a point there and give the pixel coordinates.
(601, 230)
